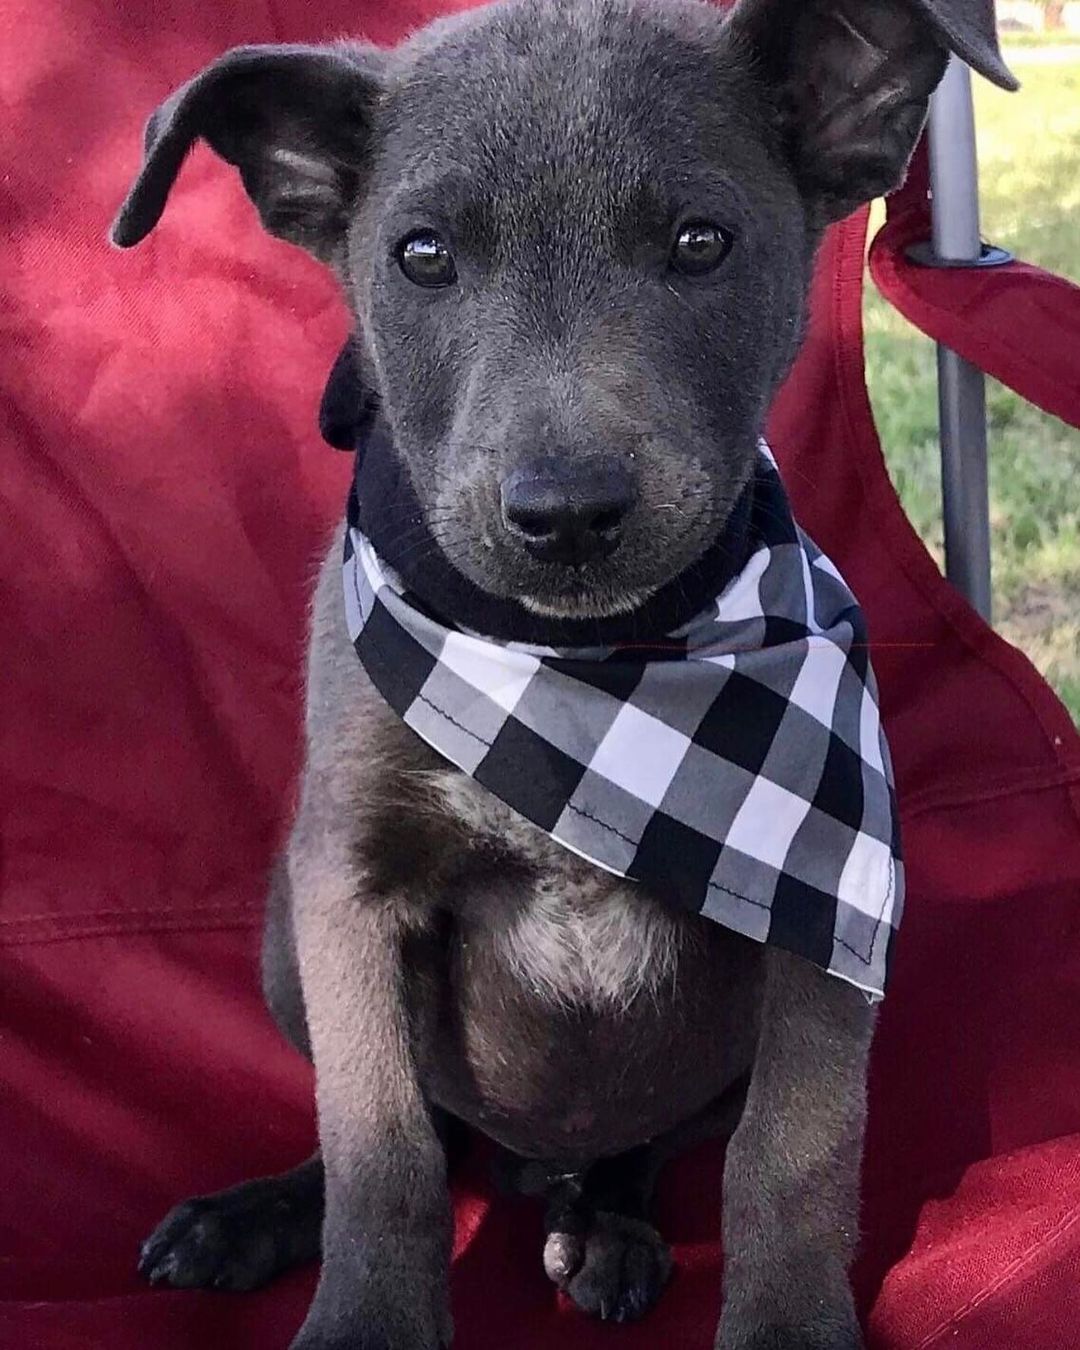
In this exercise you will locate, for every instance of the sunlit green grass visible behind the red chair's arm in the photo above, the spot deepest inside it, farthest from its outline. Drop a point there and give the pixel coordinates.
(1029, 151)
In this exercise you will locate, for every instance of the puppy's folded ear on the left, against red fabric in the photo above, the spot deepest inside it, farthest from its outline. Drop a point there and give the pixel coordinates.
(295, 121)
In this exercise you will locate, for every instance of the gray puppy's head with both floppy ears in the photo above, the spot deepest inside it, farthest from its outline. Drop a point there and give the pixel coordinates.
(577, 238)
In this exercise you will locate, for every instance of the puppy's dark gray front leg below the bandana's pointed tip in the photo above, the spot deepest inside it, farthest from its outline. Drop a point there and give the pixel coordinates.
(793, 1170)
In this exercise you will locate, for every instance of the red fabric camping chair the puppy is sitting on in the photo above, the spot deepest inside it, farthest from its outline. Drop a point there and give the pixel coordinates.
(165, 499)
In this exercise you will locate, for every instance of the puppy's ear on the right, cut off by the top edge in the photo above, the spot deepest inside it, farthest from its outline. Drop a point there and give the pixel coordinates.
(853, 82)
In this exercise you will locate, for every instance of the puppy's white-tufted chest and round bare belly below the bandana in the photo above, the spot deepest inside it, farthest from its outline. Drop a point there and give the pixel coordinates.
(580, 1017)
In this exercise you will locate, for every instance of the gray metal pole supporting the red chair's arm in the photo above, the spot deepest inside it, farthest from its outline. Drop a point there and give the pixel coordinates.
(962, 387)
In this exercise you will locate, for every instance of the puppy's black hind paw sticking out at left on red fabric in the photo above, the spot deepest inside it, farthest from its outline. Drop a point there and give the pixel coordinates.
(238, 1240)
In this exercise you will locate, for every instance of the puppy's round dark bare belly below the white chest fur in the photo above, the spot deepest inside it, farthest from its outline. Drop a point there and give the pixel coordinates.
(580, 1074)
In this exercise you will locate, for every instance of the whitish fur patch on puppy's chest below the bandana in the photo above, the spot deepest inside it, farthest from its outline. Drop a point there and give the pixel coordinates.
(564, 928)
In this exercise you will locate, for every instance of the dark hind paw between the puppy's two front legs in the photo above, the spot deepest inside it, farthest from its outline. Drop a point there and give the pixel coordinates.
(616, 1271)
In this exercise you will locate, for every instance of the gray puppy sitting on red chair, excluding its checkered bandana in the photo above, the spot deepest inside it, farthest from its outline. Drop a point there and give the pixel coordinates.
(577, 241)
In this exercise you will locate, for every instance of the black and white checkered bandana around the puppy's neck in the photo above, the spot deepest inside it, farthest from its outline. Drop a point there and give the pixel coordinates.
(738, 767)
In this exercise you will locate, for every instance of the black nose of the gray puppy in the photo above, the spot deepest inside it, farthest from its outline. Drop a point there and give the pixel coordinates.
(568, 512)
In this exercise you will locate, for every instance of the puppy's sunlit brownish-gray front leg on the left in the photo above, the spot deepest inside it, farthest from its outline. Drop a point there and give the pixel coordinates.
(388, 1226)
